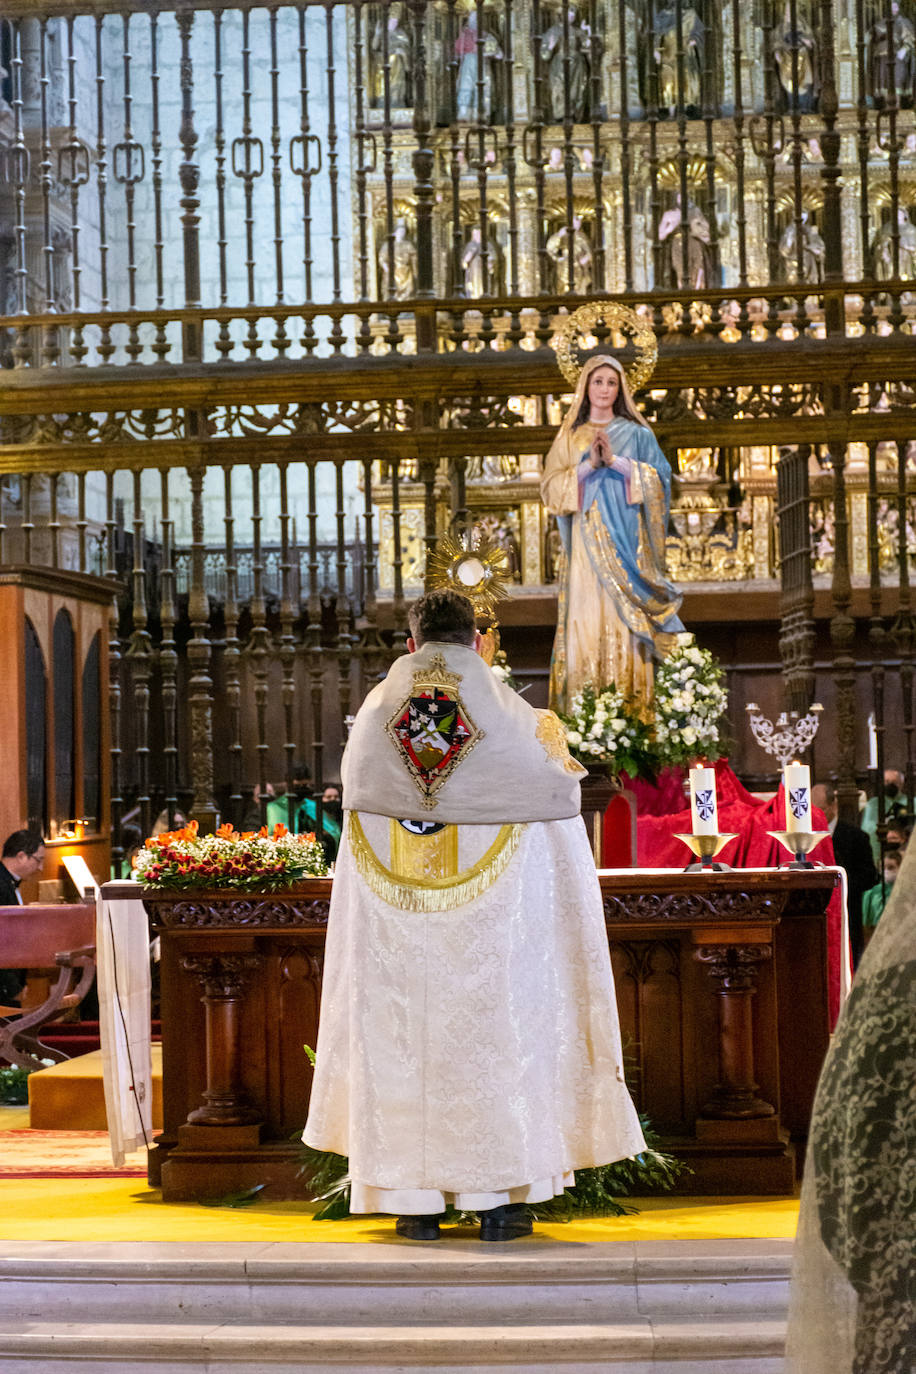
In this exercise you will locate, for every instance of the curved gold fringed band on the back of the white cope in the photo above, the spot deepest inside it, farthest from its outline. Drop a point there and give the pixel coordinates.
(432, 894)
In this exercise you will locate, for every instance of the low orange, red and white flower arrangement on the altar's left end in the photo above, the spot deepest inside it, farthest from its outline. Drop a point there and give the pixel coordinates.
(255, 861)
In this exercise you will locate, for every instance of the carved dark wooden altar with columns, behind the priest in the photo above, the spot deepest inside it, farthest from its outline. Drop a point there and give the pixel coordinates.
(722, 986)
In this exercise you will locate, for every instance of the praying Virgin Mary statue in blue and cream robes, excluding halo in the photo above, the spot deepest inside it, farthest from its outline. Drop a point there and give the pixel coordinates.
(609, 486)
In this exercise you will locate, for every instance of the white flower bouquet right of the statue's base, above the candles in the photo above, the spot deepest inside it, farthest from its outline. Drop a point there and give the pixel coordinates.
(690, 704)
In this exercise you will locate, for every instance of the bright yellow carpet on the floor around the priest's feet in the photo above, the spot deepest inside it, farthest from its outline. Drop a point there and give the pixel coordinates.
(122, 1210)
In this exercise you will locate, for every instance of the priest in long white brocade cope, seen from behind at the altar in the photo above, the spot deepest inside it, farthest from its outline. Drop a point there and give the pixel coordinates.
(469, 1049)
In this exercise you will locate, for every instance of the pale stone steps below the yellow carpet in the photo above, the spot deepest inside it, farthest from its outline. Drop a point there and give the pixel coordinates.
(642, 1309)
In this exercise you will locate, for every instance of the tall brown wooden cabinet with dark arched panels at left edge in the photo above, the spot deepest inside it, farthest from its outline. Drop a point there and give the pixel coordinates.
(54, 706)
